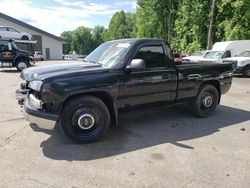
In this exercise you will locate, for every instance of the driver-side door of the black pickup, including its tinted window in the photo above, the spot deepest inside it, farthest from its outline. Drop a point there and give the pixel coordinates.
(156, 83)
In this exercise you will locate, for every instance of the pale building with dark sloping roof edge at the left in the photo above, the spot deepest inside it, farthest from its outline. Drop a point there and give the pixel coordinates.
(50, 45)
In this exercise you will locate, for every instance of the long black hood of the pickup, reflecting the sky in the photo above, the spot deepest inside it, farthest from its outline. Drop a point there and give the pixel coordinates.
(41, 73)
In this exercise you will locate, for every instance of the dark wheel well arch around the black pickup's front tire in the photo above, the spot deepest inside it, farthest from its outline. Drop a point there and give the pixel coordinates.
(105, 97)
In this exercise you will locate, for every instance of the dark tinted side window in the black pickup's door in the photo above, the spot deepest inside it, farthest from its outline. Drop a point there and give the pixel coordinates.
(153, 56)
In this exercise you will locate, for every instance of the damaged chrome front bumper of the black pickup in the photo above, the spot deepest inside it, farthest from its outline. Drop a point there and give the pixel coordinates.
(41, 117)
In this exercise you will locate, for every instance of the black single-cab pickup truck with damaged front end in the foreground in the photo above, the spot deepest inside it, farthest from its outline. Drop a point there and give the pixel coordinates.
(84, 97)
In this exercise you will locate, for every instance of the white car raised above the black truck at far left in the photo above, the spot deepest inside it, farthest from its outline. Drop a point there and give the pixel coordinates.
(9, 32)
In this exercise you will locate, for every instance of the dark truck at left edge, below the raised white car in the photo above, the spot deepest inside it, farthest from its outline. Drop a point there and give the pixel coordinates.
(12, 56)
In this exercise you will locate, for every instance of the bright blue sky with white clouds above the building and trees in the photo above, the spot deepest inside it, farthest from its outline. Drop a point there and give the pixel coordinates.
(56, 16)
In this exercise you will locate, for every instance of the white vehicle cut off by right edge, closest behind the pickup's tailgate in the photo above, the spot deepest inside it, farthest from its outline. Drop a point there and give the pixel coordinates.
(242, 63)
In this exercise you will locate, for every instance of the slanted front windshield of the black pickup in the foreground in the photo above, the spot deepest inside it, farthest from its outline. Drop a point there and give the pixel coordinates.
(109, 54)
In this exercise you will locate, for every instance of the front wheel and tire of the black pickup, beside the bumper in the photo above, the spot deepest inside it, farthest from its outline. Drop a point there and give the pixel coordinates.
(84, 119)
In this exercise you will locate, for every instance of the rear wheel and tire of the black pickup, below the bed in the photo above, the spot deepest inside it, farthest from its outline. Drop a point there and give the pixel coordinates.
(206, 101)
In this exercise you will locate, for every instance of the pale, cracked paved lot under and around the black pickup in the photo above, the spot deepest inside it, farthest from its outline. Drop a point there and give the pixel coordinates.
(160, 147)
